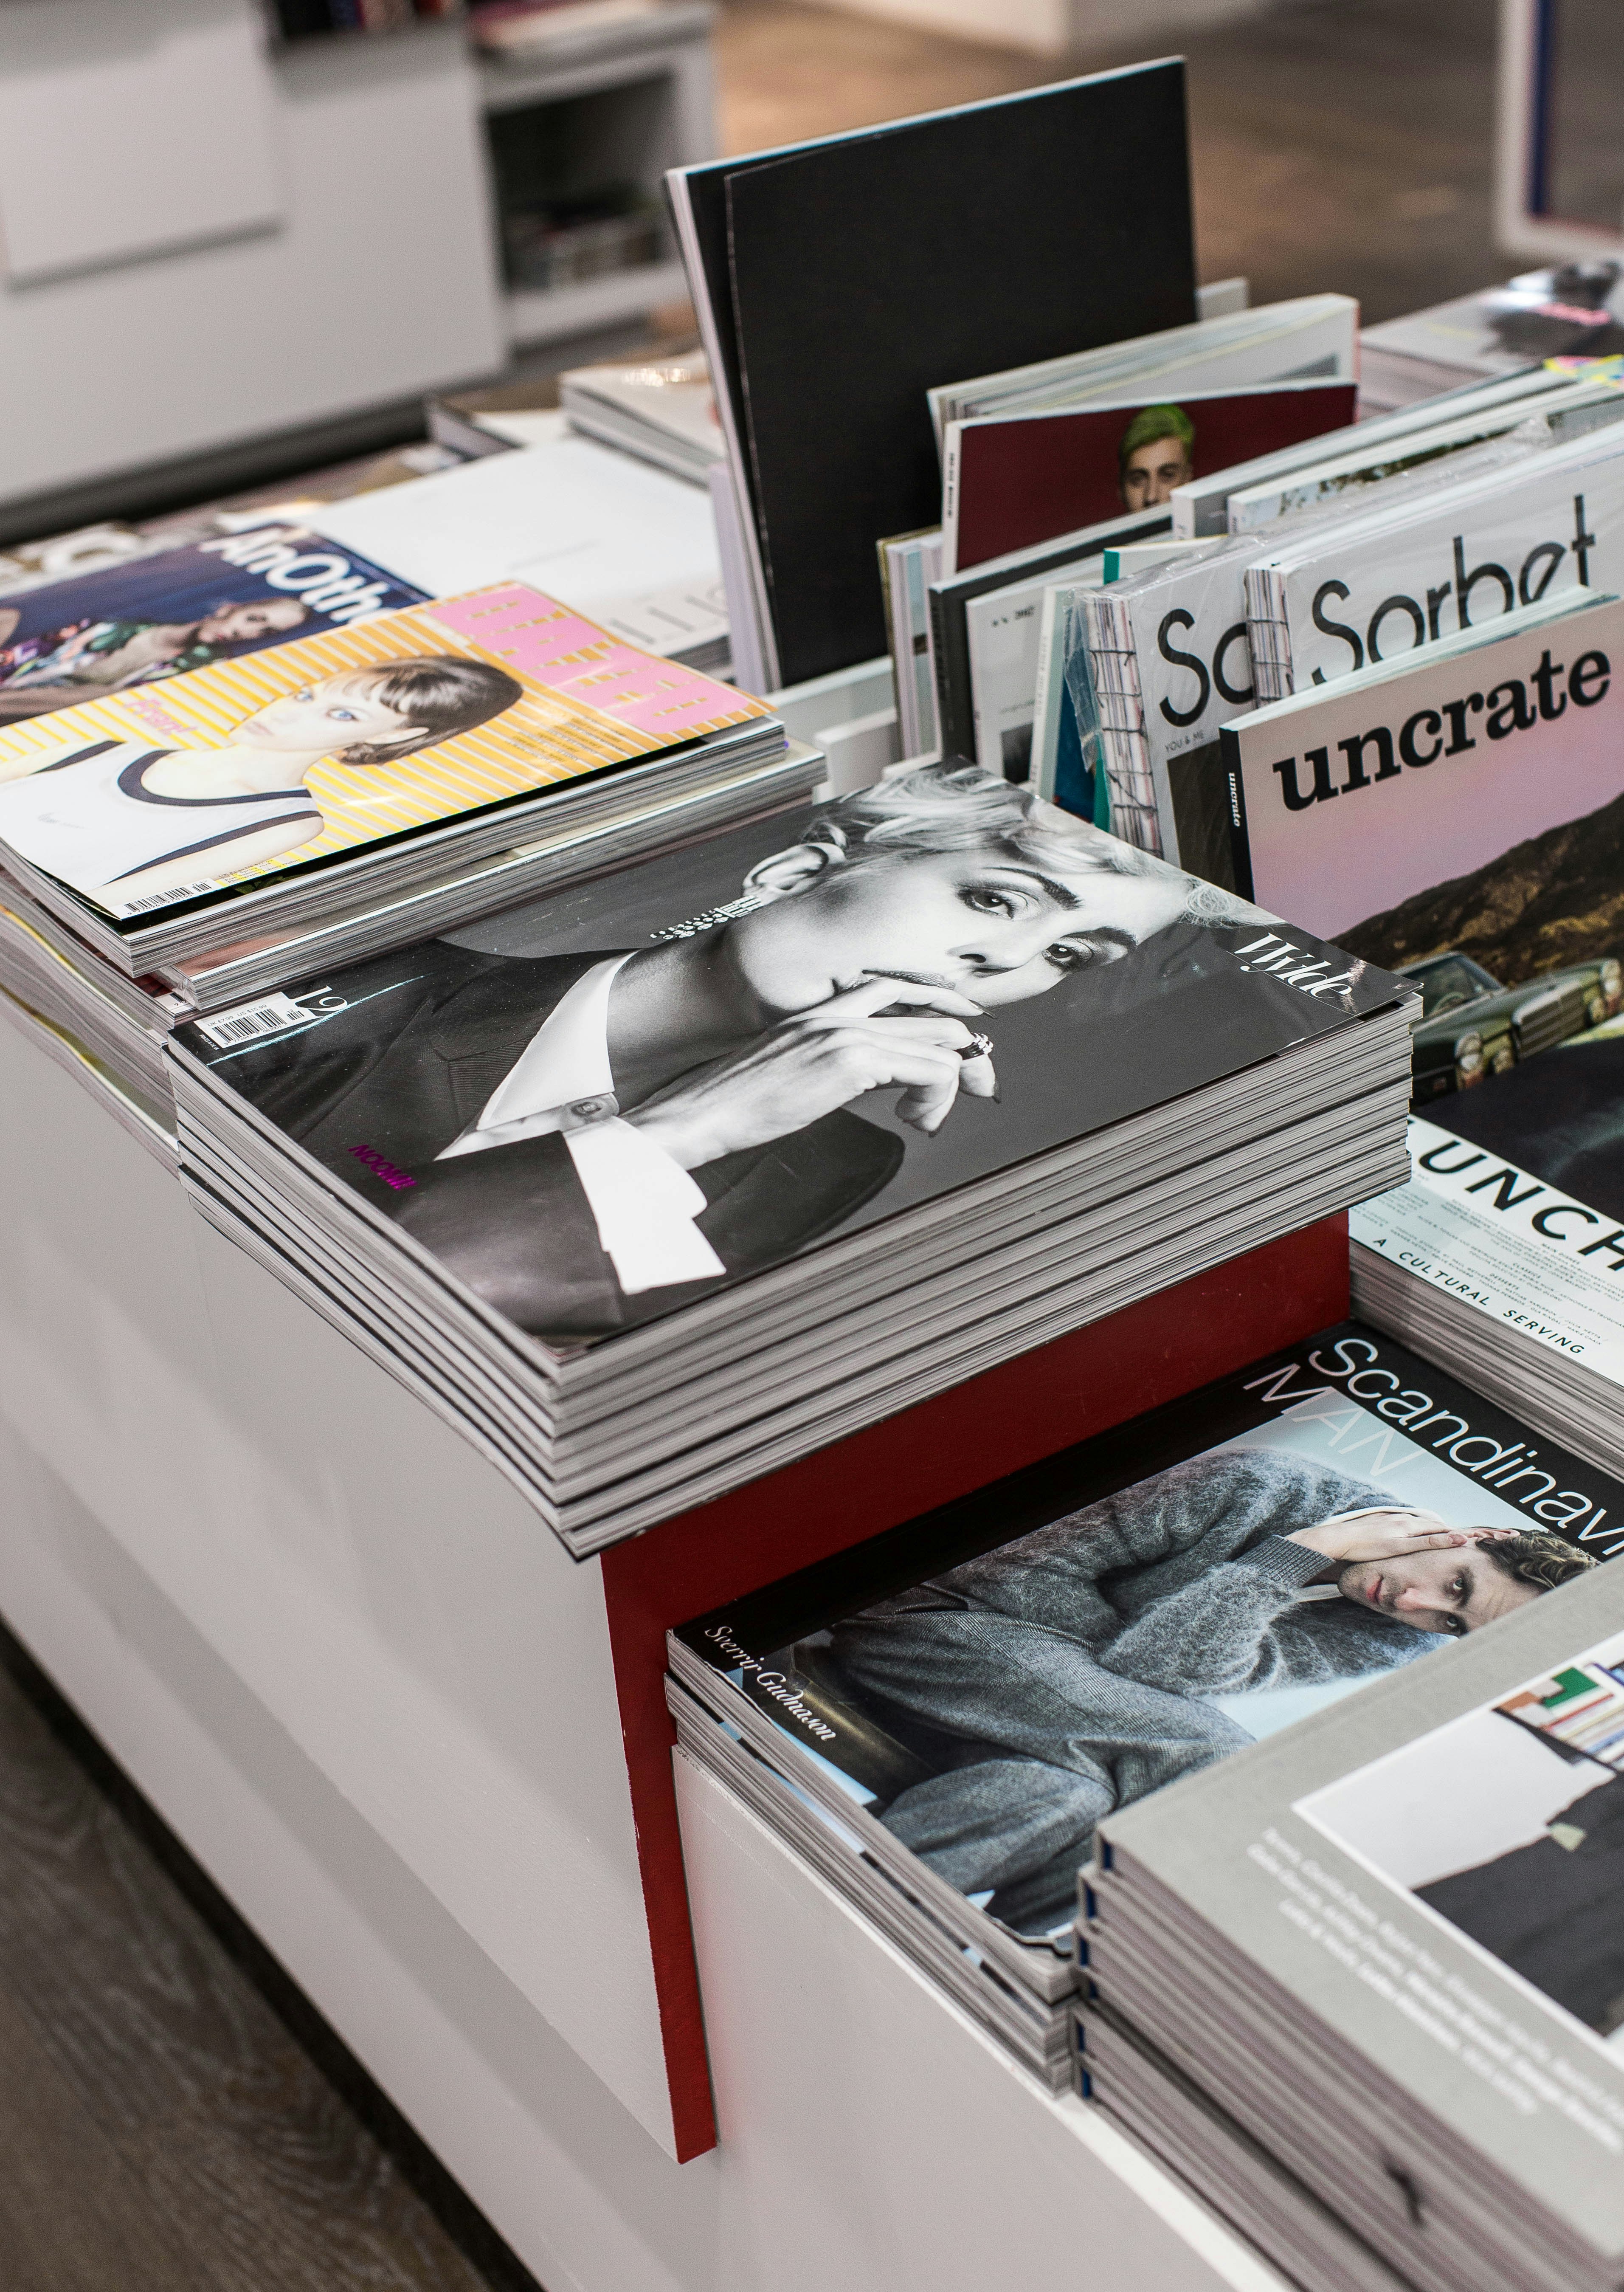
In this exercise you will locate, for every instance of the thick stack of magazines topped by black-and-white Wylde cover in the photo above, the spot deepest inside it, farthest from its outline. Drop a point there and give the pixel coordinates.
(663, 1184)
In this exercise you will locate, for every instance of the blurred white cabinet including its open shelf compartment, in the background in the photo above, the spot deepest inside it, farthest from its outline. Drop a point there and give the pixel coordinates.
(223, 256)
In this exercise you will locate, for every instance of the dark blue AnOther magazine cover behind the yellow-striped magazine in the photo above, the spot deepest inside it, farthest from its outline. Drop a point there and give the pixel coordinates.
(134, 625)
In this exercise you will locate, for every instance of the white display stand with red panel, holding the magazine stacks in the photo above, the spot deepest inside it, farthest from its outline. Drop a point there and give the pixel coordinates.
(427, 1755)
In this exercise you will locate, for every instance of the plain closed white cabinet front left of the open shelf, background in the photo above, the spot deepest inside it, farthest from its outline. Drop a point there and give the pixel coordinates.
(210, 240)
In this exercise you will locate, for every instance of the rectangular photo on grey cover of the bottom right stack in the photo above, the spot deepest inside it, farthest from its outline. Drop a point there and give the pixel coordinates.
(1508, 1826)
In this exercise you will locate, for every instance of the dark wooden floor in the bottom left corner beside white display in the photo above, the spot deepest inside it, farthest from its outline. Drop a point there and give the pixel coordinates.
(173, 2114)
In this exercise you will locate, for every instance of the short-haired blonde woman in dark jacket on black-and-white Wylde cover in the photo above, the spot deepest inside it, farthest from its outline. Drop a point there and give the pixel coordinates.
(594, 1138)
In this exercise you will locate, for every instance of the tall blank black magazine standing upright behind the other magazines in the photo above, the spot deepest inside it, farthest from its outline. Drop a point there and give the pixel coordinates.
(924, 251)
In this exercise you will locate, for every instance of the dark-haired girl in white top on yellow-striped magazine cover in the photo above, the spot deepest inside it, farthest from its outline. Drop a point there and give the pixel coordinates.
(134, 824)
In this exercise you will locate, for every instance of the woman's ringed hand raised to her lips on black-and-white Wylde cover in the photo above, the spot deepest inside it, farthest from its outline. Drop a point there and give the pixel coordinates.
(817, 1062)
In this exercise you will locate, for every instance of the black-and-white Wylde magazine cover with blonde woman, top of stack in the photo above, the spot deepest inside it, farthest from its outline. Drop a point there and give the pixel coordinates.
(601, 1106)
